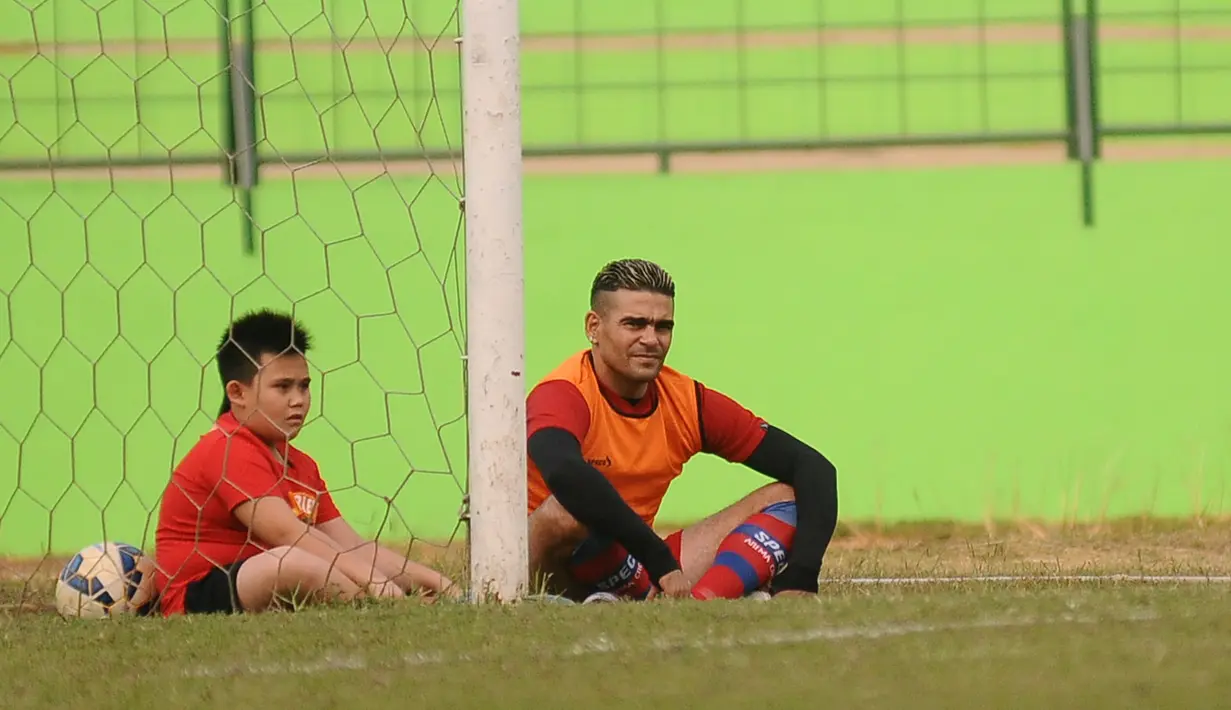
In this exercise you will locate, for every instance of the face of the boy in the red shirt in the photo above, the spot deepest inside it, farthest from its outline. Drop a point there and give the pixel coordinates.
(276, 403)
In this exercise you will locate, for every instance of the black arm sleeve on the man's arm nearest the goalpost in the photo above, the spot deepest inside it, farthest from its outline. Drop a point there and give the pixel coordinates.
(591, 499)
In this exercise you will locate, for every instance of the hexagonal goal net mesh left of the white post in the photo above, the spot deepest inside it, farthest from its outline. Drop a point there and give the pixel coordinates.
(122, 258)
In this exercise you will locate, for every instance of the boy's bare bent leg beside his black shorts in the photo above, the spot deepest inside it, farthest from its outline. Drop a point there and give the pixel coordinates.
(263, 581)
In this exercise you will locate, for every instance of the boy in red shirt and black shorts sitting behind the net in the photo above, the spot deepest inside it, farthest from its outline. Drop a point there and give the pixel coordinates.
(247, 521)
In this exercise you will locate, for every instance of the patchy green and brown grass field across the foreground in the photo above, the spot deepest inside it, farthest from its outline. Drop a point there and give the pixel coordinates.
(1030, 643)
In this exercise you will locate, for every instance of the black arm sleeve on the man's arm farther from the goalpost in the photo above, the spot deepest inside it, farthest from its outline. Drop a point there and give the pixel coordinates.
(785, 458)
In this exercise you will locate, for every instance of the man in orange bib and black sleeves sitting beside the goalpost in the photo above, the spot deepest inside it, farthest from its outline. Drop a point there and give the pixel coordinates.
(612, 428)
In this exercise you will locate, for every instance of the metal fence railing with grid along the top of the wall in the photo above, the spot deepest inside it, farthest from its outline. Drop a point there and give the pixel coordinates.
(660, 77)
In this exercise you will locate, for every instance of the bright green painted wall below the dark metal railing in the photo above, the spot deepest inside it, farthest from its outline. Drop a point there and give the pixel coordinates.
(953, 340)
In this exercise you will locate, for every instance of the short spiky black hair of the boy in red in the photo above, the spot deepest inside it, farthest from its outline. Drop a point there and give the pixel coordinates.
(251, 338)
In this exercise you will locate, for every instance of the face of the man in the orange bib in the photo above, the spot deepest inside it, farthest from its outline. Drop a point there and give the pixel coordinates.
(632, 333)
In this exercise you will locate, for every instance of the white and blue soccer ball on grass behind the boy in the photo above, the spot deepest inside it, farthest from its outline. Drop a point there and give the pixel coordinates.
(105, 580)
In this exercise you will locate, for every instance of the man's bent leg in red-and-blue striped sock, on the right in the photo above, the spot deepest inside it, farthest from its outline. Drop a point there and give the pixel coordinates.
(742, 540)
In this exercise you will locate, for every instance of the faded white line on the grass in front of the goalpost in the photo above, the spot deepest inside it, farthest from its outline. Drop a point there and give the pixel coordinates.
(603, 645)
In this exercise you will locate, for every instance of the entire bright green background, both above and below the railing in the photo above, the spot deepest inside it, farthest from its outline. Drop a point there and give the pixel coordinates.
(952, 339)
